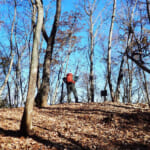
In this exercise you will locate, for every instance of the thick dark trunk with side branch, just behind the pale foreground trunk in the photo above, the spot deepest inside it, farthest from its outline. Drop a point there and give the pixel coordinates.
(42, 95)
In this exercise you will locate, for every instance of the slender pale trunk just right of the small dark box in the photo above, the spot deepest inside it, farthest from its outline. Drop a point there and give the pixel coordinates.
(109, 53)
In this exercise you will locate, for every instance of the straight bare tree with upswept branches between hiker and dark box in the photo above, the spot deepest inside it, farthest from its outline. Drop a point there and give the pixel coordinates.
(90, 8)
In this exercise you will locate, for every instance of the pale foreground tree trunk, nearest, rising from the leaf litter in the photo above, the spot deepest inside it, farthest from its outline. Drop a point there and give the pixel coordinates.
(26, 123)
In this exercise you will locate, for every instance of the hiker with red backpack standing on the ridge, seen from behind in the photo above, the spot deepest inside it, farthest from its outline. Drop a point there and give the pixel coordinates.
(70, 82)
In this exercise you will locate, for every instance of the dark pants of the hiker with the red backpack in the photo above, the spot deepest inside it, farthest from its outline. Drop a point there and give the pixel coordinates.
(71, 88)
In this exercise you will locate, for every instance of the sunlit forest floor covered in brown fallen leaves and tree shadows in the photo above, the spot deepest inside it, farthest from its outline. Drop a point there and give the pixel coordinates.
(82, 126)
